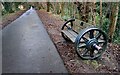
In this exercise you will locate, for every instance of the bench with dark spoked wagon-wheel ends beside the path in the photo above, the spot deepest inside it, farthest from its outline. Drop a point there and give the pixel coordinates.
(91, 44)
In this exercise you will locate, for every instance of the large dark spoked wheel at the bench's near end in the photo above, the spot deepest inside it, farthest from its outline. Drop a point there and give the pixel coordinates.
(90, 43)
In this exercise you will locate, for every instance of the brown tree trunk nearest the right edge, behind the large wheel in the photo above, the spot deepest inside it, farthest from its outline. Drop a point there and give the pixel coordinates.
(113, 20)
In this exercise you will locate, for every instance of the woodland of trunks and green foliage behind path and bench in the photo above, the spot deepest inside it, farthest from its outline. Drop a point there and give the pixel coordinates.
(105, 15)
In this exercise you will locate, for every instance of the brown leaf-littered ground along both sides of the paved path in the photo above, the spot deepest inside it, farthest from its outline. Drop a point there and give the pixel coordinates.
(107, 64)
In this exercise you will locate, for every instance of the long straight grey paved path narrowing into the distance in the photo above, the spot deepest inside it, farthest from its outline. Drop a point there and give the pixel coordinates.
(27, 47)
